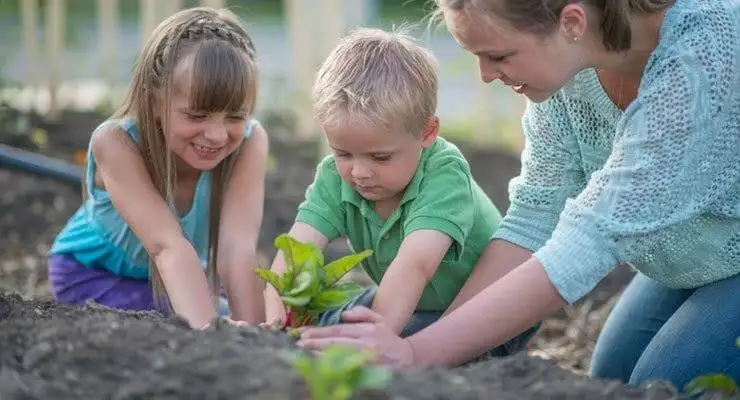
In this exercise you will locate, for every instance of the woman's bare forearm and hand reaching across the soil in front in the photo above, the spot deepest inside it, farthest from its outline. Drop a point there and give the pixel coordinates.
(502, 310)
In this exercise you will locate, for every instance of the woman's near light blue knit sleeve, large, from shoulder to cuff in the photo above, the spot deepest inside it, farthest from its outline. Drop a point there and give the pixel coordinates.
(674, 158)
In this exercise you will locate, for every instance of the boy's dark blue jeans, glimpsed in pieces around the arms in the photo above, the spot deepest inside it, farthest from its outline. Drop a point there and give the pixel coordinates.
(420, 320)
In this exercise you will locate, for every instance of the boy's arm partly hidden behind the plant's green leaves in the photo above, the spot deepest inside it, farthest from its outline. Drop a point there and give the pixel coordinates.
(303, 233)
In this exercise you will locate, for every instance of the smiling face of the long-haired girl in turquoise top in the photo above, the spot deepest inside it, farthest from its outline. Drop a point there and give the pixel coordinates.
(202, 139)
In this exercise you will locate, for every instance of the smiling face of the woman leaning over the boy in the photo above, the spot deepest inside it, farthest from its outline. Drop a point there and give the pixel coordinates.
(532, 65)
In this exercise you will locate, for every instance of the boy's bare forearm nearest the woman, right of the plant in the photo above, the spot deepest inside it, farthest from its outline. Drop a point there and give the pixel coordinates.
(402, 285)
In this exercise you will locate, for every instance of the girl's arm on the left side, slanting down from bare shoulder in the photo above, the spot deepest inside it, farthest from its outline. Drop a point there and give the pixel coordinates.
(121, 171)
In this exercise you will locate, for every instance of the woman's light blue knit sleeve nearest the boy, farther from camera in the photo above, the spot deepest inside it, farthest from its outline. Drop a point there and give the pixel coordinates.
(550, 173)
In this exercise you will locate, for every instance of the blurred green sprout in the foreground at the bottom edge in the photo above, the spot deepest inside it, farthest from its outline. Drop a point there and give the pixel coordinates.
(338, 372)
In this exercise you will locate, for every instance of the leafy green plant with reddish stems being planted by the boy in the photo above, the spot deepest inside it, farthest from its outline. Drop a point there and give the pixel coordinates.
(307, 287)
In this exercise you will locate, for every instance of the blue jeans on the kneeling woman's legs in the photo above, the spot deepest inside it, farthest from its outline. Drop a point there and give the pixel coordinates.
(659, 333)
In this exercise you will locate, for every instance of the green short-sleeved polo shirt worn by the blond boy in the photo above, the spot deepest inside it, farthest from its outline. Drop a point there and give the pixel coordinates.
(442, 195)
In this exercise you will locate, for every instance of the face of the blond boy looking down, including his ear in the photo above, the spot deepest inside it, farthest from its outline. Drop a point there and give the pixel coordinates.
(378, 164)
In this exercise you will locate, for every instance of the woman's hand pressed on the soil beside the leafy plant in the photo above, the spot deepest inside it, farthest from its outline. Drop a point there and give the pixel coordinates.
(364, 329)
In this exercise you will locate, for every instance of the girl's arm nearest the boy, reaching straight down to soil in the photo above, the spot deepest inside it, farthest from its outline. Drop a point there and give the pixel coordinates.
(241, 219)
